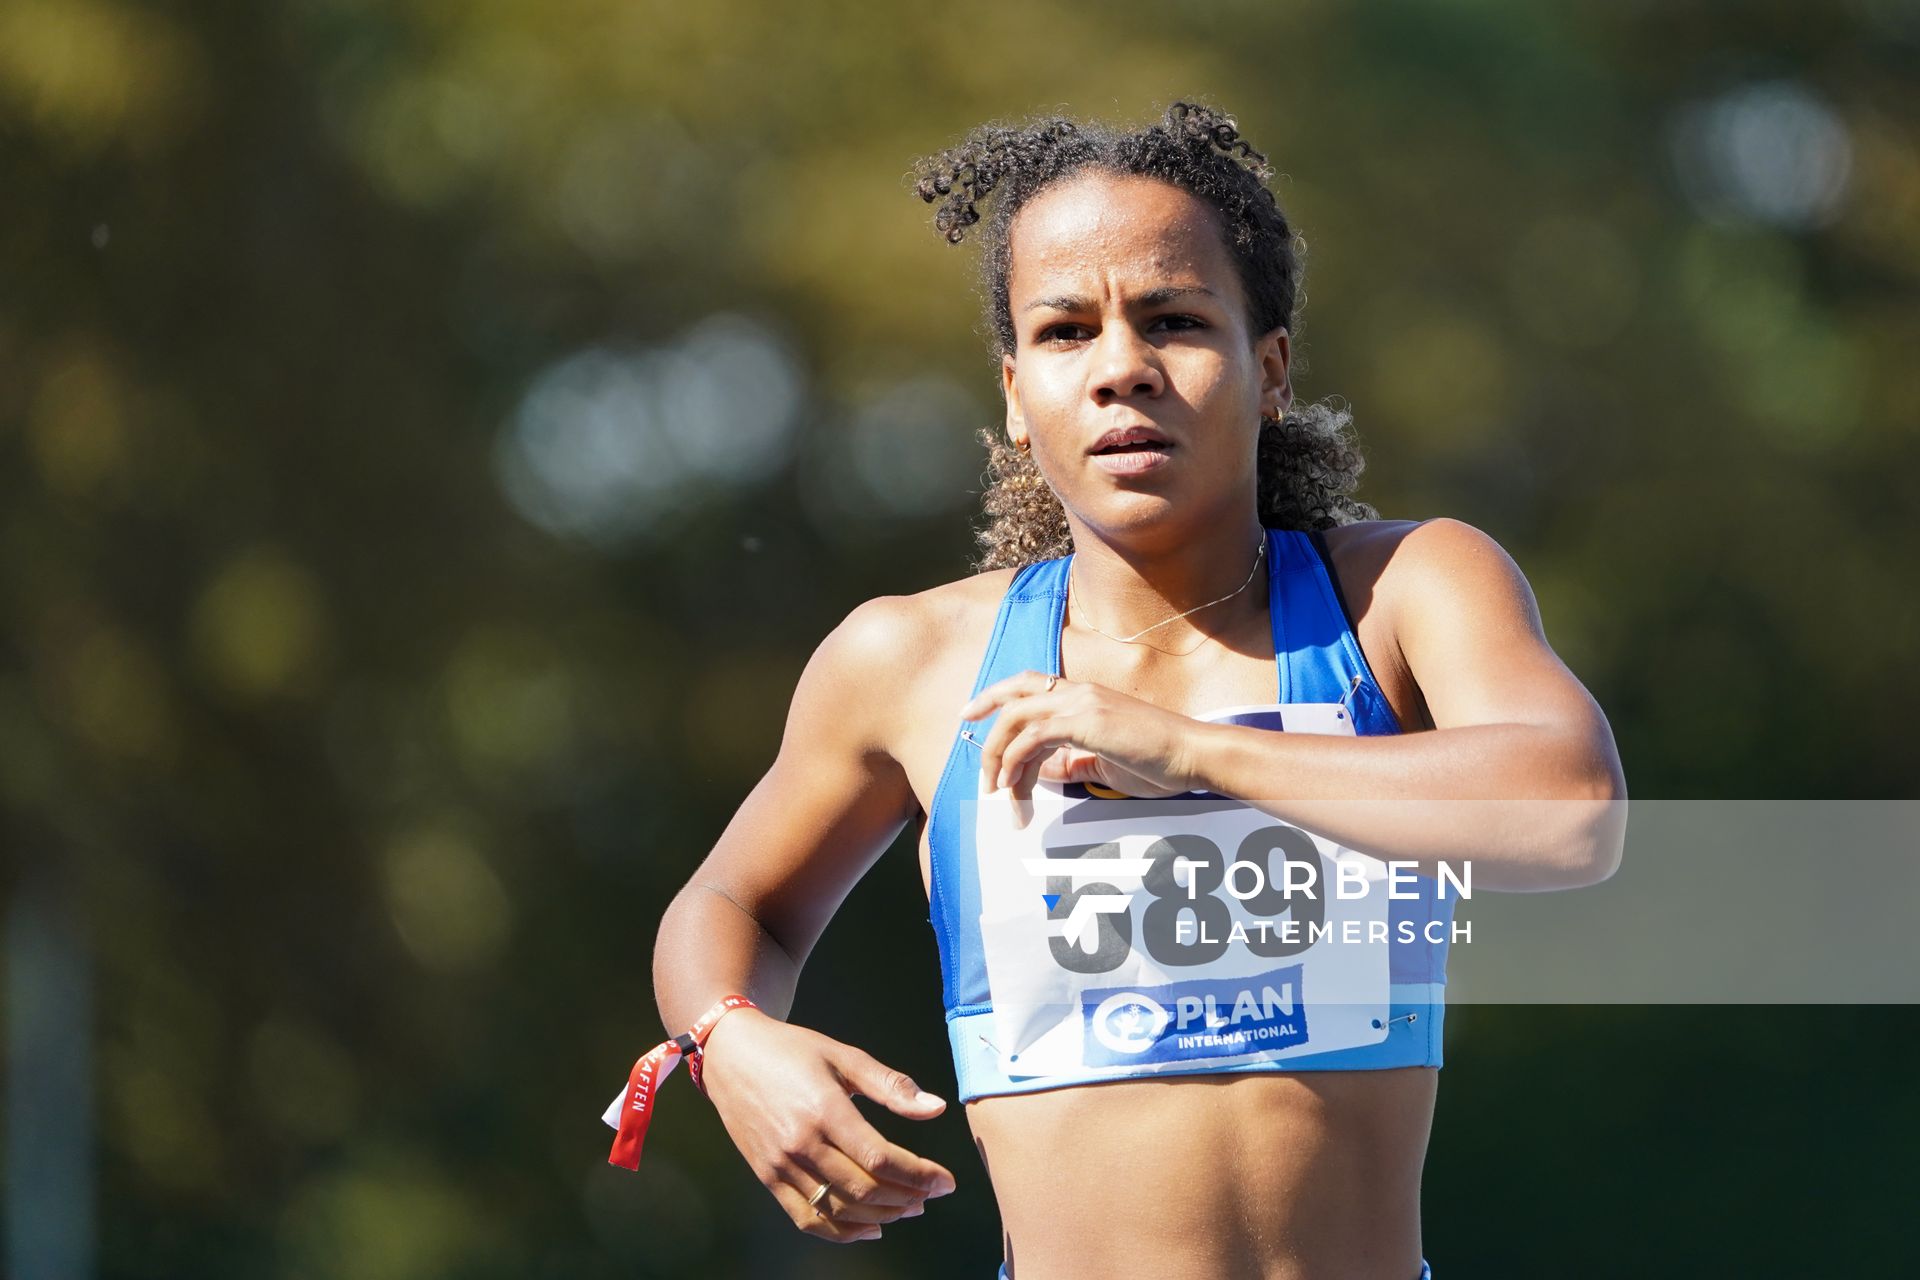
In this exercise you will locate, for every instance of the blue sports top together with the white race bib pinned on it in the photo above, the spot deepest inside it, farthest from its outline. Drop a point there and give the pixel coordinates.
(1115, 937)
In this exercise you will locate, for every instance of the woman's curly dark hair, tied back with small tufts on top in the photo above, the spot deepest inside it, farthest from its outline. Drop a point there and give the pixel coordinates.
(1308, 462)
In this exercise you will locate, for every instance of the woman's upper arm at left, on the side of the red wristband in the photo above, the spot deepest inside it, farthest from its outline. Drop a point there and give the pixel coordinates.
(834, 797)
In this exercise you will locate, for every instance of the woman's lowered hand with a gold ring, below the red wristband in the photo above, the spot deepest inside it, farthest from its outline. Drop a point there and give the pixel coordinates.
(786, 1099)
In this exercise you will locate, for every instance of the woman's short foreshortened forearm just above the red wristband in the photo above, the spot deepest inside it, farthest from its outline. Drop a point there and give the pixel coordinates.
(711, 947)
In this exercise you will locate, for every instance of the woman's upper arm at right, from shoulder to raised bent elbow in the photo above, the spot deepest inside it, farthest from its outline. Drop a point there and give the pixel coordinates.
(1470, 628)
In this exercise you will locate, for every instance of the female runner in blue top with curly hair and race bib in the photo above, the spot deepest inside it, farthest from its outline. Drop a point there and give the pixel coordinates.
(1168, 536)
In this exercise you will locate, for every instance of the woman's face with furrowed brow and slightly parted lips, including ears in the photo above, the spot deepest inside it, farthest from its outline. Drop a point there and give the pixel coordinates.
(1128, 314)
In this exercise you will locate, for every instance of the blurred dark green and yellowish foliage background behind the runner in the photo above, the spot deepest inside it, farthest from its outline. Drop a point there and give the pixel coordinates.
(433, 437)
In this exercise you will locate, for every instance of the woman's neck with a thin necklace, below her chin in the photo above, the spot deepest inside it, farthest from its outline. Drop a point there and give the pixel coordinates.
(1124, 586)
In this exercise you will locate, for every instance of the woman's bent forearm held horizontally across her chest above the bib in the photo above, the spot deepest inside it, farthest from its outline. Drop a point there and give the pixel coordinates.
(1529, 807)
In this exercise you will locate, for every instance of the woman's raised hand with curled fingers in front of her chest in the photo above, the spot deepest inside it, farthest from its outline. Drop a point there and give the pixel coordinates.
(1082, 734)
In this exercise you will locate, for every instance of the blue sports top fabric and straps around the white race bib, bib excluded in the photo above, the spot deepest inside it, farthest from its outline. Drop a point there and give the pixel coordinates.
(1316, 661)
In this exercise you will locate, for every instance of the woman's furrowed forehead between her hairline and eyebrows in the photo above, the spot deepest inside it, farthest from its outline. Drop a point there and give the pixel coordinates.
(1099, 225)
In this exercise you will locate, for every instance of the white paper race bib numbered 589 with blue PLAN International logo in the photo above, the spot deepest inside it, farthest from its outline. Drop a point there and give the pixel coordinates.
(1149, 936)
